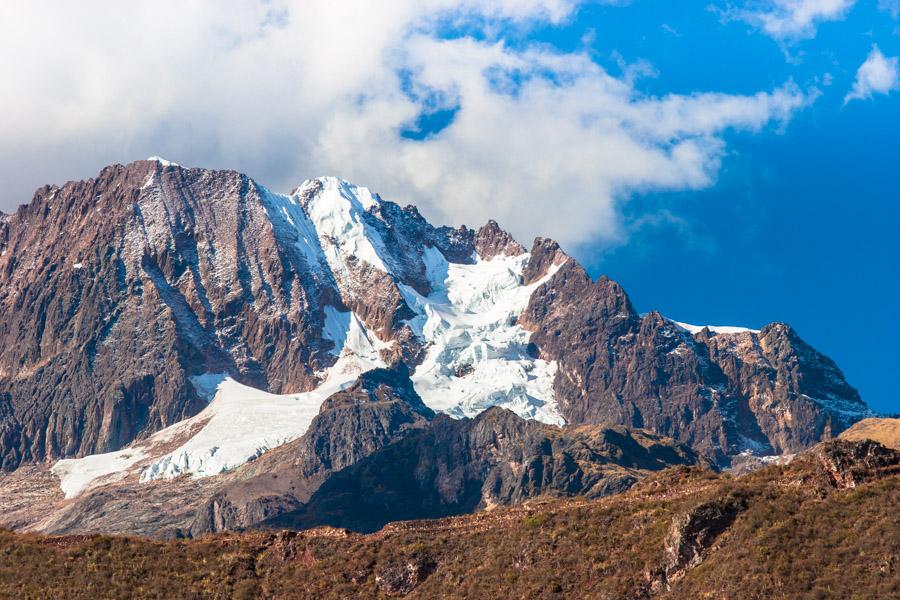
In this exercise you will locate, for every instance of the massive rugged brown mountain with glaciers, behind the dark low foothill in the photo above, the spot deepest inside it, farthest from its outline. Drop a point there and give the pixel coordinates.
(163, 321)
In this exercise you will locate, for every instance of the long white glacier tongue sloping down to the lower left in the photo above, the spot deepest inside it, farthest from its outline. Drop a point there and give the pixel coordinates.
(239, 424)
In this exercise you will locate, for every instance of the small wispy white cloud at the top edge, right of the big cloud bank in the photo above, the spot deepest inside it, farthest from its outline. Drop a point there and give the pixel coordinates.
(791, 19)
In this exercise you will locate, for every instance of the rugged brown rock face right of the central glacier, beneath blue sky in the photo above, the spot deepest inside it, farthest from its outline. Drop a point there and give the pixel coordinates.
(722, 392)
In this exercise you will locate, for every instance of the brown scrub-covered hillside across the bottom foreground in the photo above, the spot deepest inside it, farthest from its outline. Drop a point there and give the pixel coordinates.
(823, 526)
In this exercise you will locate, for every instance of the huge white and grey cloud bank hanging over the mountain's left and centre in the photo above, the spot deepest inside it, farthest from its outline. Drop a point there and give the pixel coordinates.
(544, 141)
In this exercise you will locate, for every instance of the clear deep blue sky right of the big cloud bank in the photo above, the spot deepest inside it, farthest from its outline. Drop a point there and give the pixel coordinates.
(802, 224)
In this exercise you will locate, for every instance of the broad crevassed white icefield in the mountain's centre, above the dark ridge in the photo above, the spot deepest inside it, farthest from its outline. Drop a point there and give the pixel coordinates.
(477, 356)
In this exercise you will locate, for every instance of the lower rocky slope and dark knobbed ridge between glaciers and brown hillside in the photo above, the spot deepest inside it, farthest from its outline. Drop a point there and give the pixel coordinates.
(373, 453)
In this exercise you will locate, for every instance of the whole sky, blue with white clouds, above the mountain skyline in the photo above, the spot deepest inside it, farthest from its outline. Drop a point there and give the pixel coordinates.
(730, 162)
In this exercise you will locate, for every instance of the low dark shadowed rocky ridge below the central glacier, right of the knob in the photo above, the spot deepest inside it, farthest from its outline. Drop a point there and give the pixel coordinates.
(496, 459)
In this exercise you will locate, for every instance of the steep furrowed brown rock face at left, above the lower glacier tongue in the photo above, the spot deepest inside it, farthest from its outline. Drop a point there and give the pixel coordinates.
(117, 289)
